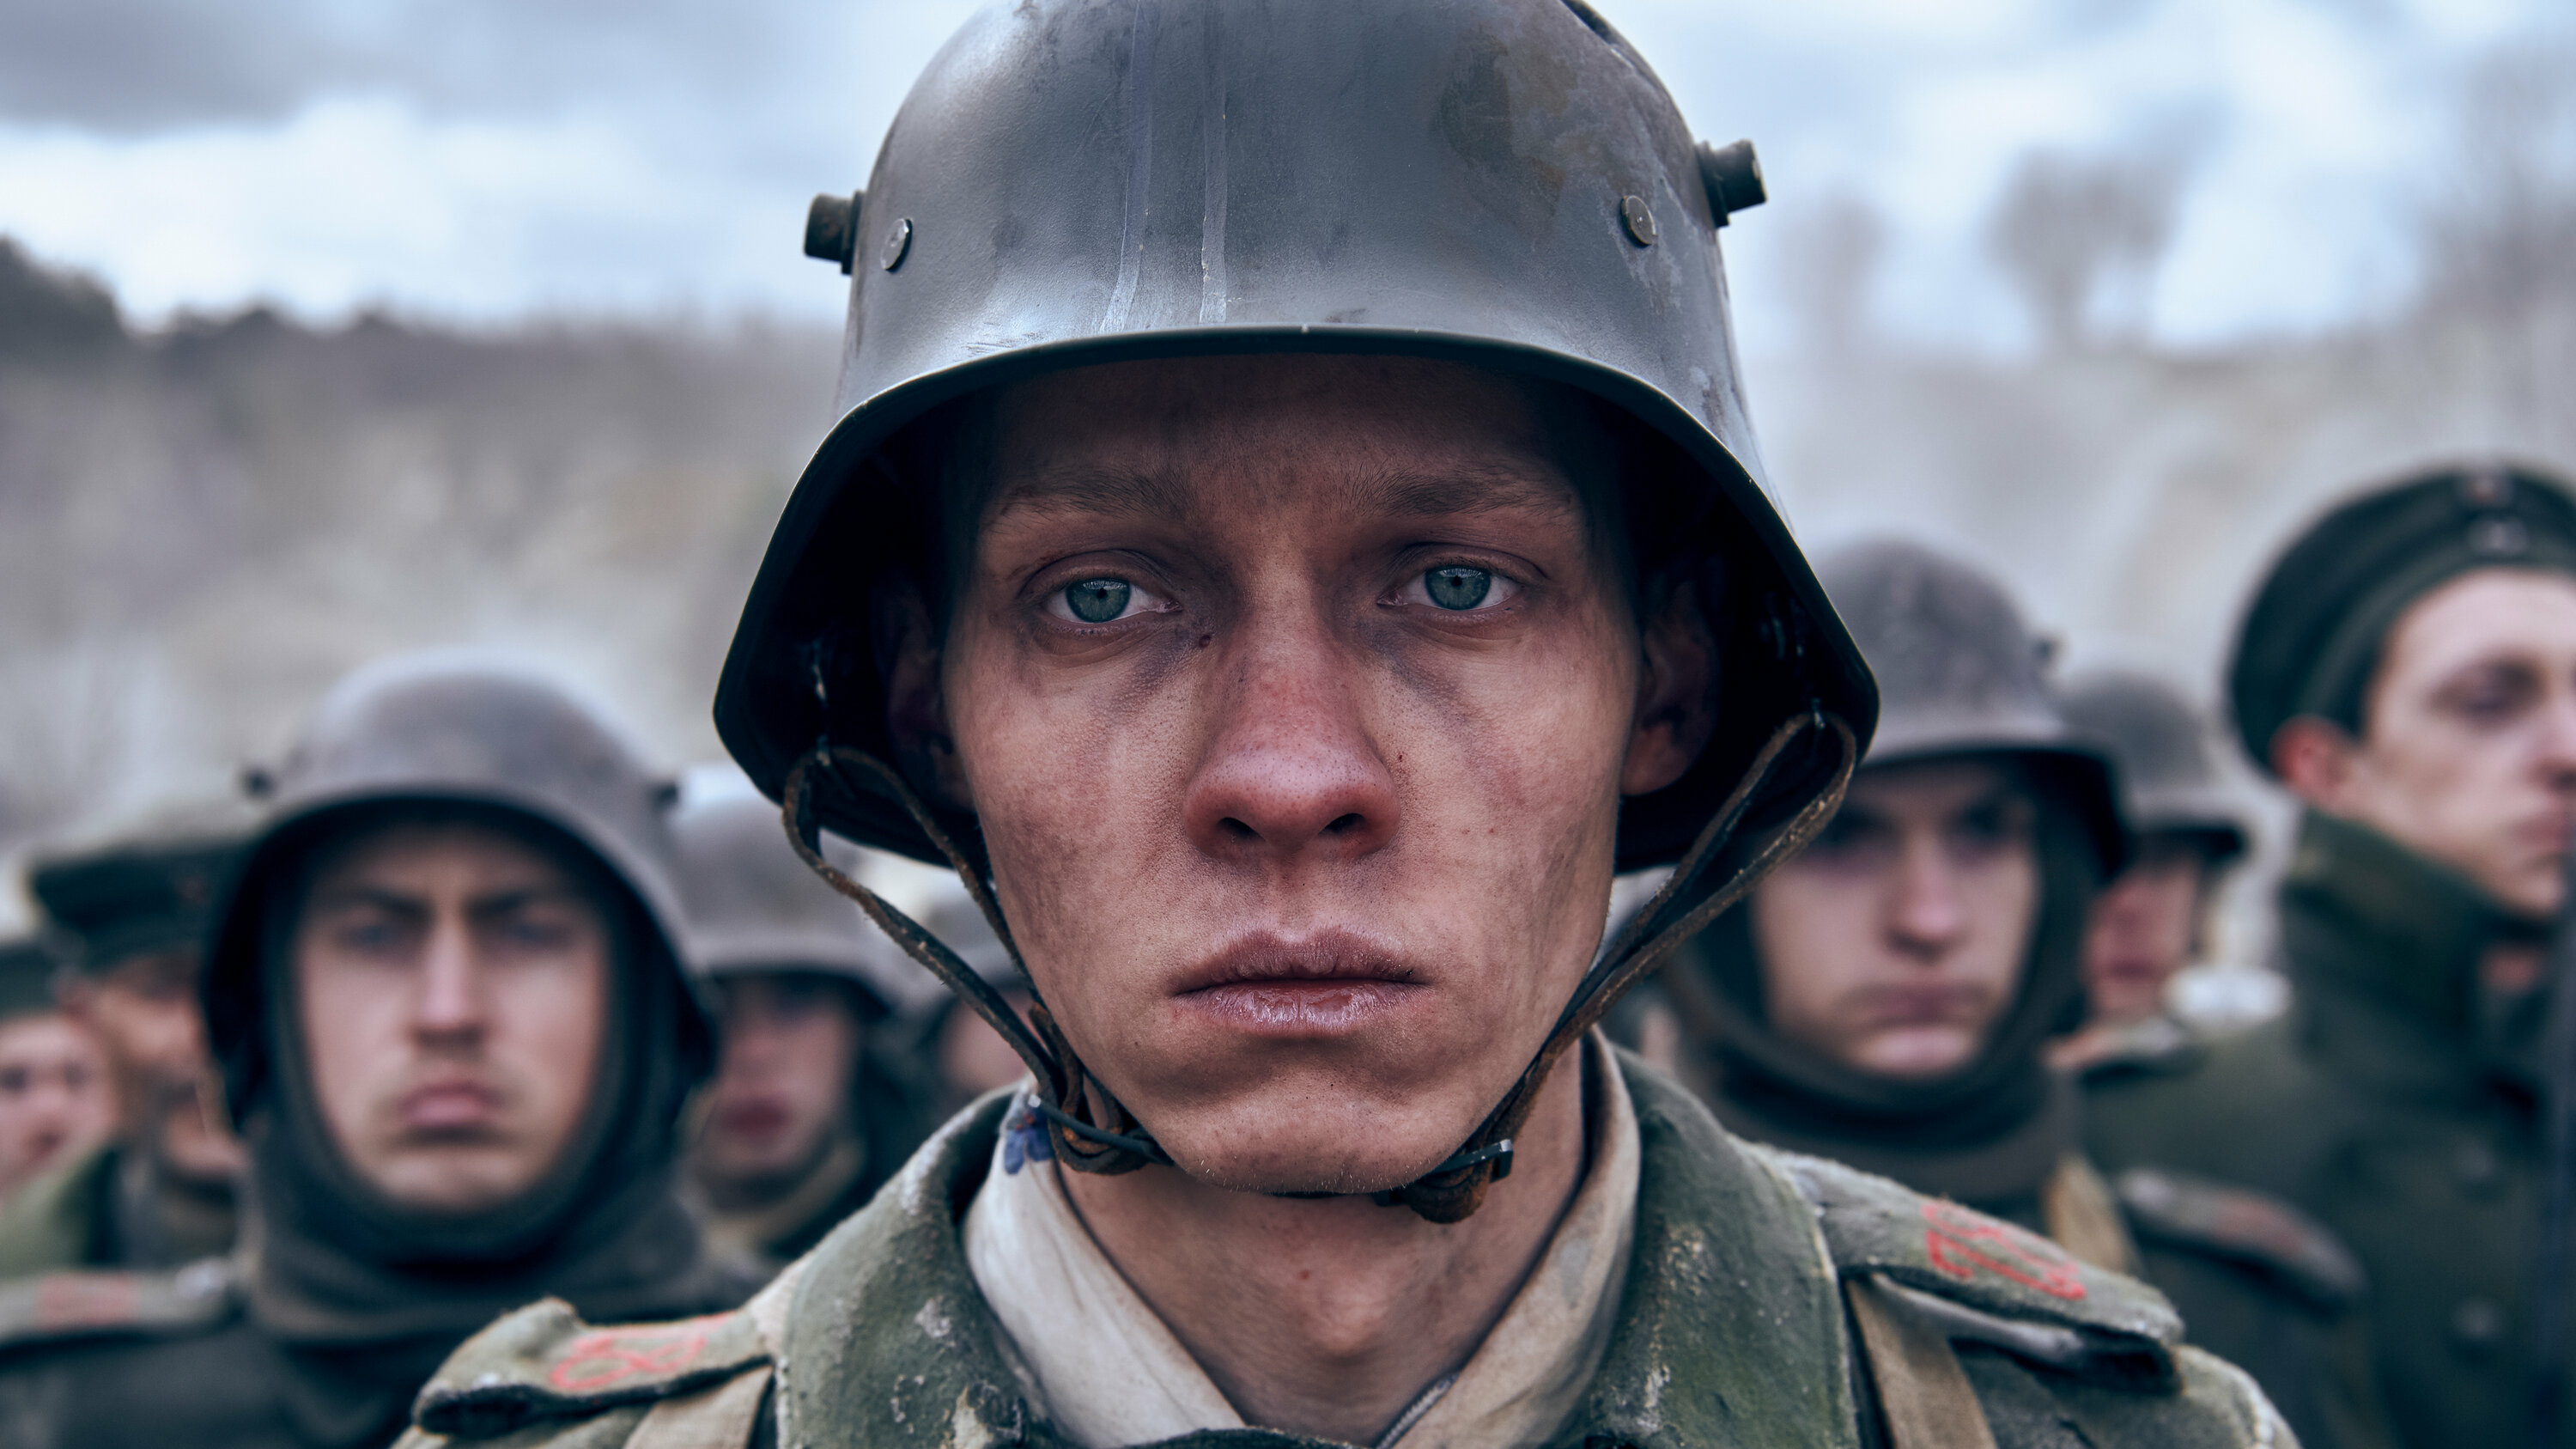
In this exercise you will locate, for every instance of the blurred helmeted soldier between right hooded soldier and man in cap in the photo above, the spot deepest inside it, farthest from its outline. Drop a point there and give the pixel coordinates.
(2155, 917)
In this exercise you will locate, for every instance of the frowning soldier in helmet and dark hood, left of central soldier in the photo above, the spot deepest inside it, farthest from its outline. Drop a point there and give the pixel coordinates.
(457, 1038)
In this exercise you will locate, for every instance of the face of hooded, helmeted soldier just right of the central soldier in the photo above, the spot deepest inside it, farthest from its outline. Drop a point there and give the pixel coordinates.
(1897, 940)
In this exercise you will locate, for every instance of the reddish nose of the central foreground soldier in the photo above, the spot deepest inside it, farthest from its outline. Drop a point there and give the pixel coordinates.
(1292, 767)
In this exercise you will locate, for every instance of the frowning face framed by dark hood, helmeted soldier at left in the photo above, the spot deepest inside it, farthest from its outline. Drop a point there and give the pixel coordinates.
(452, 991)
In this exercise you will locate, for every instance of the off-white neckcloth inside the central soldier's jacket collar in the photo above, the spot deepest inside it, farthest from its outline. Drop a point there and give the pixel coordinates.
(1112, 1373)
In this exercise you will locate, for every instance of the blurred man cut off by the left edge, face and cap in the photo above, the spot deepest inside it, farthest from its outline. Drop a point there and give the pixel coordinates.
(55, 1097)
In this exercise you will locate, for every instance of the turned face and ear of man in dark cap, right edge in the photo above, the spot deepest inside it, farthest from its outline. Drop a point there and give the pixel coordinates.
(2469, 741)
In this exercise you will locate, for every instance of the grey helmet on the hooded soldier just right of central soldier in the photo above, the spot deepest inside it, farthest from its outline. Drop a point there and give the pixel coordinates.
(1959, 674)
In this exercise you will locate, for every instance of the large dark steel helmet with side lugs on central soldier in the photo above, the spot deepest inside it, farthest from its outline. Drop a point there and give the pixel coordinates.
(1490, 182)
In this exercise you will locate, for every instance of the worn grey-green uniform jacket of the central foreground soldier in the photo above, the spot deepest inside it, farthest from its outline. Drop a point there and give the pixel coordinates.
(1756, 1283)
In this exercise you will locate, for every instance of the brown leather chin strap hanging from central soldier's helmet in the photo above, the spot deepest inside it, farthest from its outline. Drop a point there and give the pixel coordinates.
(1094, 1133)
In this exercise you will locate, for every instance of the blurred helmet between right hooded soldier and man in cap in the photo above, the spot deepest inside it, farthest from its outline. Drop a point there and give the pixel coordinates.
(2170, 780)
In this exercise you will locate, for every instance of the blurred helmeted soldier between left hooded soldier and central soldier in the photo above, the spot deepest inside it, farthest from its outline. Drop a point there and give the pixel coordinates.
(808, 1113)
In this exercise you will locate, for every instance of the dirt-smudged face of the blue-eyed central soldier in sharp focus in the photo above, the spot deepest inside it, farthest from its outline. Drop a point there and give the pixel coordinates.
(1297, 700)
